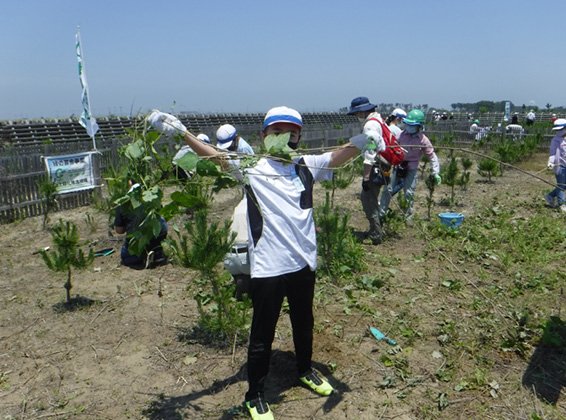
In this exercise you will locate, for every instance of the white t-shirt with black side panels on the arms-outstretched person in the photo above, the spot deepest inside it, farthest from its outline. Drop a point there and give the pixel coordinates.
(281, 230)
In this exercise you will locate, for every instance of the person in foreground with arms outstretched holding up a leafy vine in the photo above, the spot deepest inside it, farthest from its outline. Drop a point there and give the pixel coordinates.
(281, 241)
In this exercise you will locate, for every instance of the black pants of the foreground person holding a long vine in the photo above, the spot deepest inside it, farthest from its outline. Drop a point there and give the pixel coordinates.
(267, 297)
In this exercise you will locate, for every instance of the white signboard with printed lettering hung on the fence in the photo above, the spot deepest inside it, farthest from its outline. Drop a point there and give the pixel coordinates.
(70, 172)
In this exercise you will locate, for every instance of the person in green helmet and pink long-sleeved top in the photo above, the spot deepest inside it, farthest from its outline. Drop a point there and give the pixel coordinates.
(416, 143)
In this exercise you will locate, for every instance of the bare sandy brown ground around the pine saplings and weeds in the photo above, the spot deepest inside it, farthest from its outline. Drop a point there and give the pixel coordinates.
(122, 356)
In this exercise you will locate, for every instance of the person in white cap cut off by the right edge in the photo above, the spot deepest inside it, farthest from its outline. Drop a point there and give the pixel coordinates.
(557, 161)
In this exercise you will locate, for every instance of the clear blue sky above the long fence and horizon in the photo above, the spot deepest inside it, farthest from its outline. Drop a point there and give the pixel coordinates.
(247, 56)
